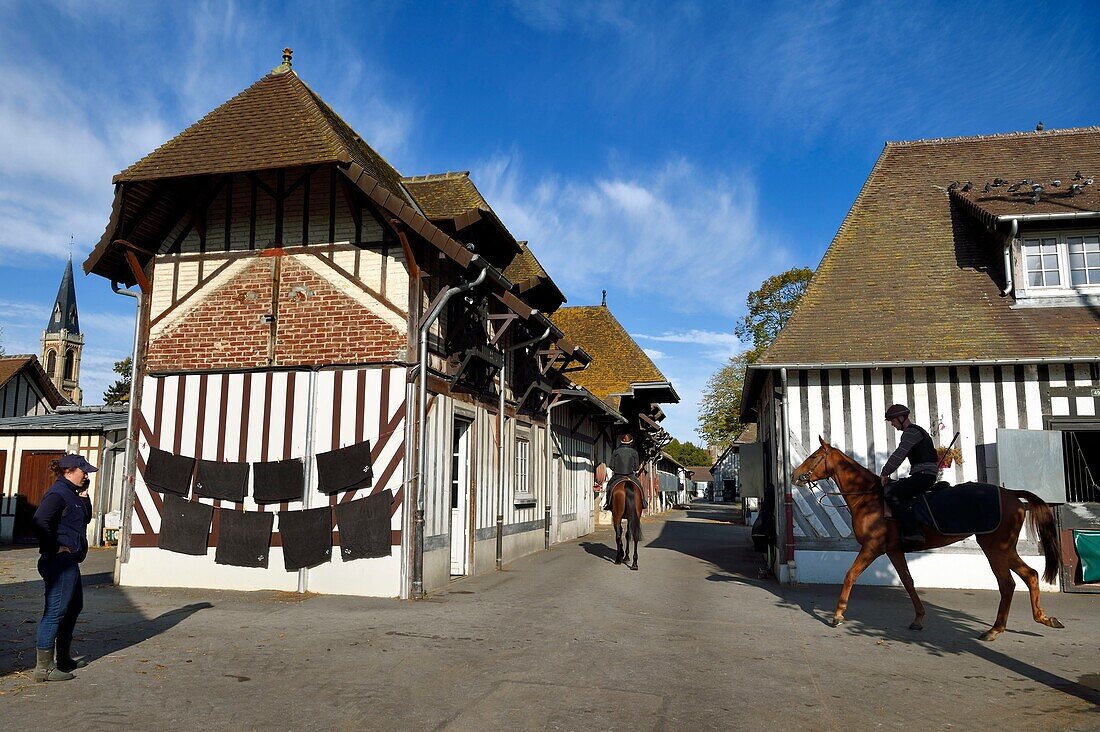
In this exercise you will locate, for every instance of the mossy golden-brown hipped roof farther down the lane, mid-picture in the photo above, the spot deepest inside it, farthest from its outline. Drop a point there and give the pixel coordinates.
(618, 360)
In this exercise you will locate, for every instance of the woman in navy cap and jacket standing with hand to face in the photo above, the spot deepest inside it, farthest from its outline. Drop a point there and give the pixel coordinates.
(60, 525)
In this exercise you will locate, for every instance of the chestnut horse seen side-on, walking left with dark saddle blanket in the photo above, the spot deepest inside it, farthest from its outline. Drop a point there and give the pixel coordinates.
(863, 491)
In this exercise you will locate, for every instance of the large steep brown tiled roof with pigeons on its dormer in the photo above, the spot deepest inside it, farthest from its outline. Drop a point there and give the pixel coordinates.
(910, 277)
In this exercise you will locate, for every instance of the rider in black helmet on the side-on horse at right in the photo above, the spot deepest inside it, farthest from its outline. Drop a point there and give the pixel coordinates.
(916, 446)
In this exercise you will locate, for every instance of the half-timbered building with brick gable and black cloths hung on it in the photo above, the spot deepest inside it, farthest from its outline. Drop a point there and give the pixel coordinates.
(298, 299)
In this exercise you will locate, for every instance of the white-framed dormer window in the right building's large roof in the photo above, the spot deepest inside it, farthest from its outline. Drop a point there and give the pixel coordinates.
(1061, 264)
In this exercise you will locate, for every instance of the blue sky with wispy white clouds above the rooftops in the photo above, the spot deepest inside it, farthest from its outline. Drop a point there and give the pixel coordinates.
(674, 155)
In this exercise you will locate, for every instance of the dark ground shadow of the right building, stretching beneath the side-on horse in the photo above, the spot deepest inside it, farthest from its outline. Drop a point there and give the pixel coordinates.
(876, 613)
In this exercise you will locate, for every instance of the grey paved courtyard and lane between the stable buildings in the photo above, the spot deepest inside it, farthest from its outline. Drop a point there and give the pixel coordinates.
(563, 640)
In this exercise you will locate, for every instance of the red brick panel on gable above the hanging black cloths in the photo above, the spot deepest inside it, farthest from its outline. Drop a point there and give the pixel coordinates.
(317, 325)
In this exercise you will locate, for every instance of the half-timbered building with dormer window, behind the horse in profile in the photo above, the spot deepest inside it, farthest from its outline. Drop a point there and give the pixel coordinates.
(965, 282)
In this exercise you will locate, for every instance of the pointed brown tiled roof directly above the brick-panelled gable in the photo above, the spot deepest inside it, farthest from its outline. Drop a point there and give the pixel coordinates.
(277, 123)
